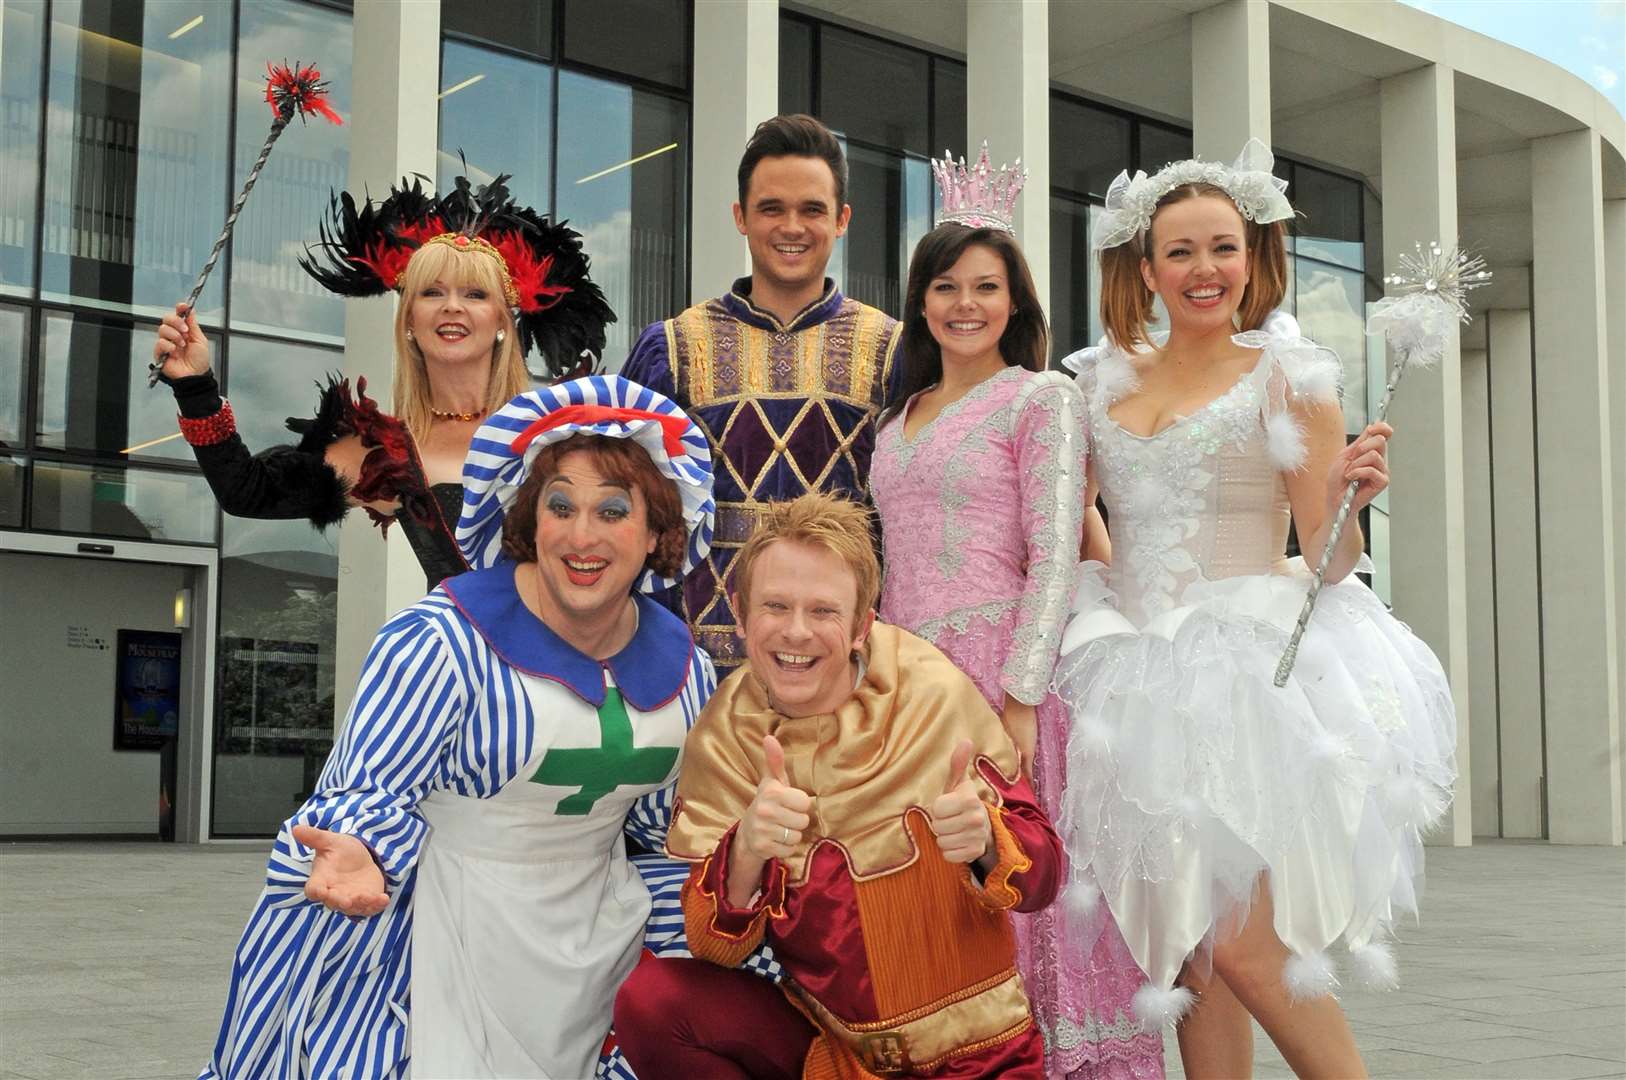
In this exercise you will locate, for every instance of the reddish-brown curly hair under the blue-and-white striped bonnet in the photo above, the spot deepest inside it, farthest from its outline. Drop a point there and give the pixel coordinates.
(620, 461)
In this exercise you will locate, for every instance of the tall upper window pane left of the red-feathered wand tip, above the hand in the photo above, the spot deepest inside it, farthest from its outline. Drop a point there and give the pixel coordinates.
(136, 165)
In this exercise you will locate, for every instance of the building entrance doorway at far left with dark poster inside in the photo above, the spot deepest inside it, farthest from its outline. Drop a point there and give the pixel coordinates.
(107, 660)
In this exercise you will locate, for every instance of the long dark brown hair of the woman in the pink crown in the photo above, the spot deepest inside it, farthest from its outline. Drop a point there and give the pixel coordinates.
(1027, 339)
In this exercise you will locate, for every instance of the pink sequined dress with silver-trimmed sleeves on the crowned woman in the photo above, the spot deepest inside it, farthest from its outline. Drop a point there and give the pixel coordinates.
(981, 516)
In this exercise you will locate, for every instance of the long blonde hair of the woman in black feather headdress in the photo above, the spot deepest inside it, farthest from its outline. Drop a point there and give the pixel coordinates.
(472, 269)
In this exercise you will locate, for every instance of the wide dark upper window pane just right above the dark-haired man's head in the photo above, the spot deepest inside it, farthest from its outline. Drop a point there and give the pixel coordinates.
(874, 92)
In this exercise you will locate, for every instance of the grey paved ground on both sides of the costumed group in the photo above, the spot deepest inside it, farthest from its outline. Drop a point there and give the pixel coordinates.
(115, 959)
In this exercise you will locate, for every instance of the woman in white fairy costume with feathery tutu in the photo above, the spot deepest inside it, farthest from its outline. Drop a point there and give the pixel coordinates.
(1237, 830)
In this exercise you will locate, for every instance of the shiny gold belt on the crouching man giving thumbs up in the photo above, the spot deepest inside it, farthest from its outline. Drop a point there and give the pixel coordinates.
(970, 1021)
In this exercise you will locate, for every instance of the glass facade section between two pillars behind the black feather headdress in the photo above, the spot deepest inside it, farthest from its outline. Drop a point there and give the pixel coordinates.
(606, 142)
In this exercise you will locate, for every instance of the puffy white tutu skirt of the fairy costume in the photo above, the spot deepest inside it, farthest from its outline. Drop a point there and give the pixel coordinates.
(1191, 773)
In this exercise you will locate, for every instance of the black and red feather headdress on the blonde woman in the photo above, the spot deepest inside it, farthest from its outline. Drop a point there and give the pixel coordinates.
(559, 310)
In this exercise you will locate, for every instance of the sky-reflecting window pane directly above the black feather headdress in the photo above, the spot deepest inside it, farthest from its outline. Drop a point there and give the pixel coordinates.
(484, 94)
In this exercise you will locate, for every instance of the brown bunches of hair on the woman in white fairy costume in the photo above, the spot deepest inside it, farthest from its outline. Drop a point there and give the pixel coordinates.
(1126, 302)
